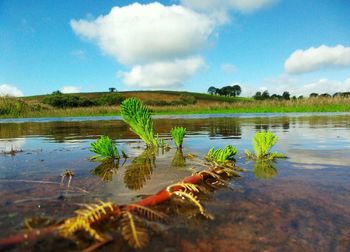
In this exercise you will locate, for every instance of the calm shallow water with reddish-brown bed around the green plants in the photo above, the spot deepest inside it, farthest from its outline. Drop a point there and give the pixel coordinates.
(298, 204)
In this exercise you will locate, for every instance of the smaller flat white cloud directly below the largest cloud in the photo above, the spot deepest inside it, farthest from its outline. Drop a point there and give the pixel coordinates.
(162, 74)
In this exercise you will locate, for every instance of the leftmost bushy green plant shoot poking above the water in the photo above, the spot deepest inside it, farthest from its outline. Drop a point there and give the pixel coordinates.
(104, 149)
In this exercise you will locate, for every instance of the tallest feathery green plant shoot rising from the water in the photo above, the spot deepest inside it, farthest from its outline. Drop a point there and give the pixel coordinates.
(138, 116)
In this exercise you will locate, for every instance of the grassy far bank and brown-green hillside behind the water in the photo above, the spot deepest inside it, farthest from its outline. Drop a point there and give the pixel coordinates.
(172, 103)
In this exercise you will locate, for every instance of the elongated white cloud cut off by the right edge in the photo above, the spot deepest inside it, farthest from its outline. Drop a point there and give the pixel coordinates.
(313, 59)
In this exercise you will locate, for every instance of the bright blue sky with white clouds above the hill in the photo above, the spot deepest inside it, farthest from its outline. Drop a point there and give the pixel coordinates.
(91, 45)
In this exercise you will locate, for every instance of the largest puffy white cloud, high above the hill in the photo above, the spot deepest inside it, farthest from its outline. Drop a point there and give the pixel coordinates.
(139, 34)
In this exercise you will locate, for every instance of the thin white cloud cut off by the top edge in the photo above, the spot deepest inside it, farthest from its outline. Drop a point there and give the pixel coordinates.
(240, 5)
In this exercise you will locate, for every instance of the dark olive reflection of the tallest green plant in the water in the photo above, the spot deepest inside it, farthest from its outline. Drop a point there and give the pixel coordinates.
(140, 170)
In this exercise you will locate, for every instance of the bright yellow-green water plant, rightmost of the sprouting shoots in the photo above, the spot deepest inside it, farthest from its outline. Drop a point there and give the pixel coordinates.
(262, 143)
